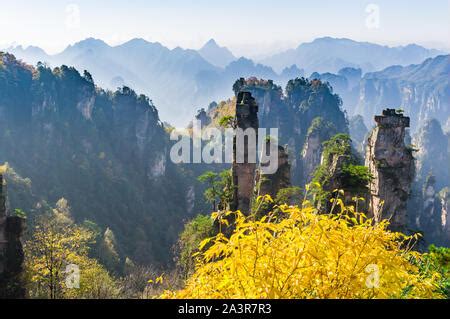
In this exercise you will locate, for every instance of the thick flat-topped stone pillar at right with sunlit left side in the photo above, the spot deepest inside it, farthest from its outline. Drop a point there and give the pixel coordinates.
(392, 166)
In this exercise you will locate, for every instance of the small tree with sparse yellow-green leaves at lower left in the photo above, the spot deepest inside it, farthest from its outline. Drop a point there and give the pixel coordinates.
(56, 245)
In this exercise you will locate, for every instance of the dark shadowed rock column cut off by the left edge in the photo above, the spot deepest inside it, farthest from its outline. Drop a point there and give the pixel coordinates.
(11, 252)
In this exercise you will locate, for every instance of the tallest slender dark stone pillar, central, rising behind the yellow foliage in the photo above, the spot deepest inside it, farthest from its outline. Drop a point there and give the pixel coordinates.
(244, 172)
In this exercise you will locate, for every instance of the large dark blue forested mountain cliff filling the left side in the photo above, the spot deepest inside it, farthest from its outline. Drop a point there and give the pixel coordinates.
(106, 152)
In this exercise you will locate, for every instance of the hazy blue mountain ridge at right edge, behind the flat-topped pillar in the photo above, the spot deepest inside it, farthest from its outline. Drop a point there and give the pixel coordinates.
(421, 90)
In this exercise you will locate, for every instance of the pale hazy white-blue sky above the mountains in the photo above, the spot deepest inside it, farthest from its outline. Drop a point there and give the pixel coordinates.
(247, 27)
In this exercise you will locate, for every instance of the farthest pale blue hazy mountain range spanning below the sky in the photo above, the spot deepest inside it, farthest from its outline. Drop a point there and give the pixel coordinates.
(181, 80)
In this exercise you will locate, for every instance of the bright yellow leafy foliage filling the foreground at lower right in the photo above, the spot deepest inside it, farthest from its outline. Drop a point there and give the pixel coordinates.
(294, 252)
